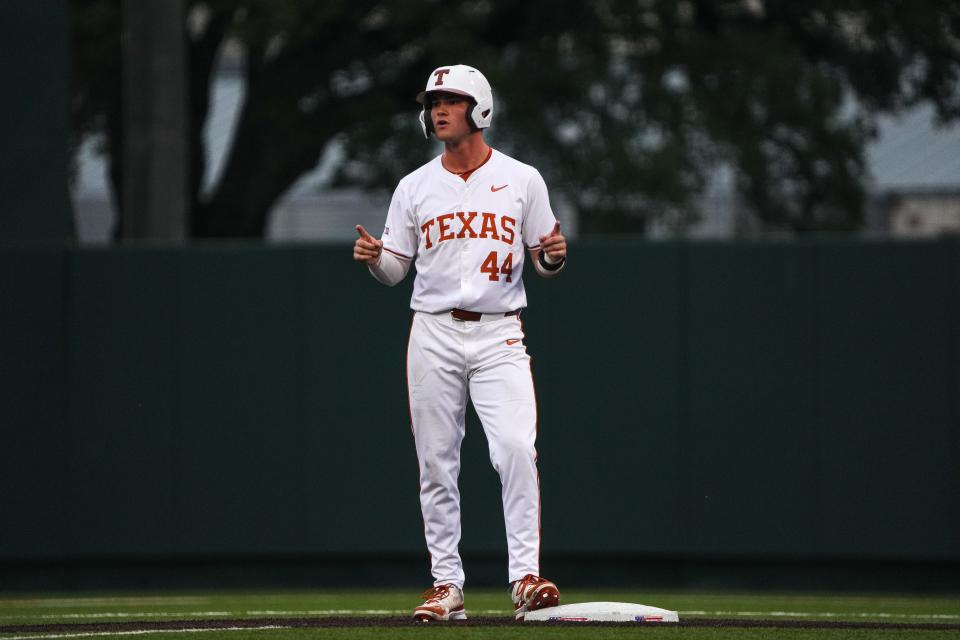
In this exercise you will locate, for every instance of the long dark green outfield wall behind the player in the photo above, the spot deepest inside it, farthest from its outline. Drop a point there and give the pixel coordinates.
(794, 400)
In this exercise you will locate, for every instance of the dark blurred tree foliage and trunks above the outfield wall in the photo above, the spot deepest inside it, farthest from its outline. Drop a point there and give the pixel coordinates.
(627, 106)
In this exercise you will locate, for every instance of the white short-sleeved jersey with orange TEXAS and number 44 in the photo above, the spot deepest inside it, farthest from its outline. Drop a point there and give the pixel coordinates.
(469, 237)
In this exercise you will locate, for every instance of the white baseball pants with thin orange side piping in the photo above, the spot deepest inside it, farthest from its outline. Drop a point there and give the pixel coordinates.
(449, 360)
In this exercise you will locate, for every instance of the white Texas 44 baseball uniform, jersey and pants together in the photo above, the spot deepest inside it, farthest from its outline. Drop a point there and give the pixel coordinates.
(468, 239)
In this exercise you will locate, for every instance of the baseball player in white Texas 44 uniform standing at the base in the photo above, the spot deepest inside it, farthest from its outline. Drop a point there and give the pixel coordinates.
(467, 218)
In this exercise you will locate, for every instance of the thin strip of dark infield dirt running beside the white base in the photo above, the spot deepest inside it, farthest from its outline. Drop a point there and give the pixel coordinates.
(396, 621)
